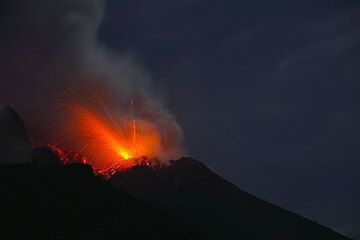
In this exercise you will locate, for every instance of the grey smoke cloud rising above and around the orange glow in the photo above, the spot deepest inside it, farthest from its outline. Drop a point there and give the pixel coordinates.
(48, 47)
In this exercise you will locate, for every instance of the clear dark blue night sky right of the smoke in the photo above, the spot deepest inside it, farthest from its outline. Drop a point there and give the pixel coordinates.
(267, 93)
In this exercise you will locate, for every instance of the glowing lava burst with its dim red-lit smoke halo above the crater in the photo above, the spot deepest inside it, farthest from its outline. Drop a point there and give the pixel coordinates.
(81, 128)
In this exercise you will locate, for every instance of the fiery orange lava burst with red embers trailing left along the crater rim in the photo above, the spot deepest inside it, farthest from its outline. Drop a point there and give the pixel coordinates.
(107, 140)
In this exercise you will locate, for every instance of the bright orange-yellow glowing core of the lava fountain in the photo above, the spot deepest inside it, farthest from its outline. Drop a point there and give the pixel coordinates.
(107, 141)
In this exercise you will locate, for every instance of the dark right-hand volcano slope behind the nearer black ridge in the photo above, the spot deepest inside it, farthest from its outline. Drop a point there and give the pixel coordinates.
(209, 203)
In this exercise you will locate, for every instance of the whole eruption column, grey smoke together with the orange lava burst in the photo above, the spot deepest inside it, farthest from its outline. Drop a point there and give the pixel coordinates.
(75, 93)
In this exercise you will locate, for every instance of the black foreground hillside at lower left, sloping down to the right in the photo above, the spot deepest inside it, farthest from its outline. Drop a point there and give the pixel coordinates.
(69, 202)
